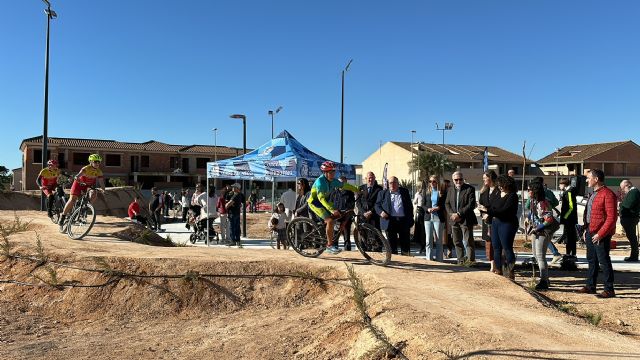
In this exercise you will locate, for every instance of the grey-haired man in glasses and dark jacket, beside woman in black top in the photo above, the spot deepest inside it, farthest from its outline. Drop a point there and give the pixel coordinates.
(461, 200)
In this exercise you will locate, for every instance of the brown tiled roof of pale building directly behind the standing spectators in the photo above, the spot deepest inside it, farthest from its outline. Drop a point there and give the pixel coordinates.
(467, 153)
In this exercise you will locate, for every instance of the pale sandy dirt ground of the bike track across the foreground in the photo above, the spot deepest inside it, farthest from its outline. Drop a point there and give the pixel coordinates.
(270, 304)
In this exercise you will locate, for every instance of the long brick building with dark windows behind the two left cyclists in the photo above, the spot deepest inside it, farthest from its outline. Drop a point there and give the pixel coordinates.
(147, 164)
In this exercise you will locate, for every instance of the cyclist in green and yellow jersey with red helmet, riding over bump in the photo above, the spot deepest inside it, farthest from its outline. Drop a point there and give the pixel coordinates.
(320, 203)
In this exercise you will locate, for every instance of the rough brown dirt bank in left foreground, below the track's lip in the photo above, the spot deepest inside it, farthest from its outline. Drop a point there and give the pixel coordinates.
(144, 308)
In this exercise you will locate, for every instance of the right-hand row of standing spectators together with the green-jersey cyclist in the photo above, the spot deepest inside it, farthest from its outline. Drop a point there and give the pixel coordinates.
(445, 217)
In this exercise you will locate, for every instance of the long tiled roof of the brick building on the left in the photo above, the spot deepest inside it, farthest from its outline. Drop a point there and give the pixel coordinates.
(148, 146)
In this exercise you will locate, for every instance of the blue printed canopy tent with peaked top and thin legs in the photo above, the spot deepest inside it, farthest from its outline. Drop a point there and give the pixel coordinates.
(282, 158)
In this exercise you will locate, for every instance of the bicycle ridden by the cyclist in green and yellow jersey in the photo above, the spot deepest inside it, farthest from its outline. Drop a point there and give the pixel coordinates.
(307, 237)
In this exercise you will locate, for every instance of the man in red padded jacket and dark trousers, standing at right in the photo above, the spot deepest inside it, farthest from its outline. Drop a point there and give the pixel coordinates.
(600, 218)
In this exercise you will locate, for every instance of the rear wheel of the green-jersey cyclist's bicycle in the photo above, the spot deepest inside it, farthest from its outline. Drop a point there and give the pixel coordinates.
(306, 238)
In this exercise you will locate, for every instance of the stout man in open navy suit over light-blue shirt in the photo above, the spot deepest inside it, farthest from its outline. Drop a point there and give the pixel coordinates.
(396, 215)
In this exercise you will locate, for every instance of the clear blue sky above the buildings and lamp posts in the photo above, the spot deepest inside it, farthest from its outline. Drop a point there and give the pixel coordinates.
(552, 73)
